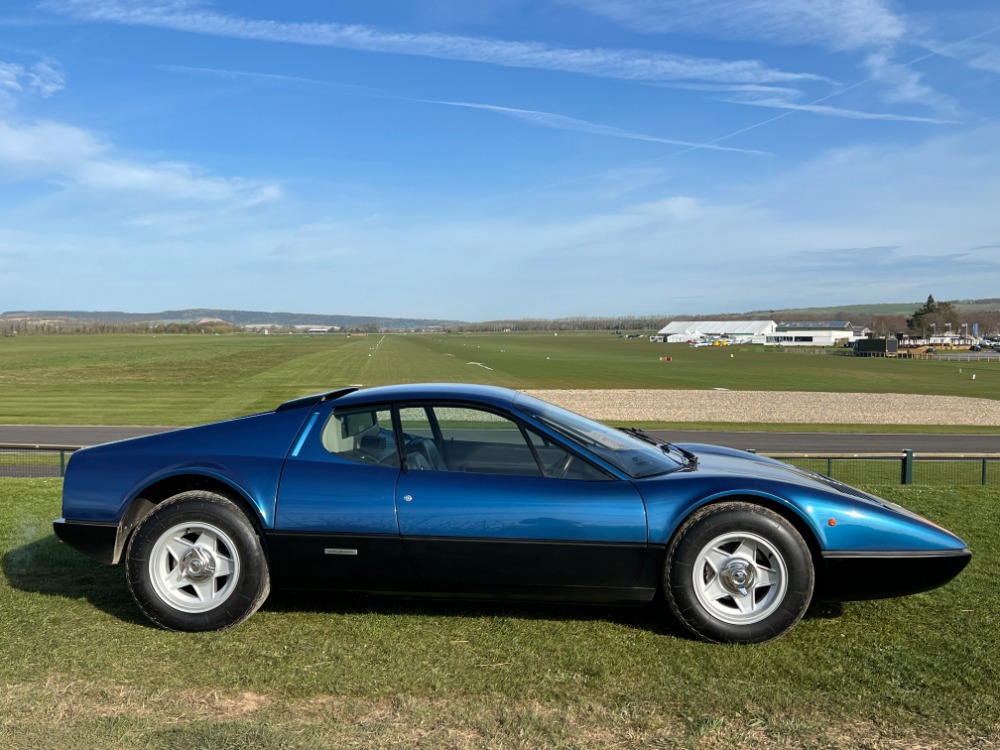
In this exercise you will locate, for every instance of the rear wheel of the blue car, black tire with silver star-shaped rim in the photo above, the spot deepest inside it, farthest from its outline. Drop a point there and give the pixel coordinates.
(196, 563)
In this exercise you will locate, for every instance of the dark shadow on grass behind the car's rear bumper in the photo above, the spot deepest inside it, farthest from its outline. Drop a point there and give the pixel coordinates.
(48, 567)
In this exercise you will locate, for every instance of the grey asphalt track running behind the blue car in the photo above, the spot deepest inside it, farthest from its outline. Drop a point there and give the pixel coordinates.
(762, 442)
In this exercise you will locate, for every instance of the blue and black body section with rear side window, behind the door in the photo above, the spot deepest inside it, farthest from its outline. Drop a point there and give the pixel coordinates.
(335, 522)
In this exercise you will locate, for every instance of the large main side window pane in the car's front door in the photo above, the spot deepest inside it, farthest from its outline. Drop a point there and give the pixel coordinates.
(461, 439)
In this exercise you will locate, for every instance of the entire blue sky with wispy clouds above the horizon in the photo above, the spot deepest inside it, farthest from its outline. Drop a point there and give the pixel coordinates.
(482, 159)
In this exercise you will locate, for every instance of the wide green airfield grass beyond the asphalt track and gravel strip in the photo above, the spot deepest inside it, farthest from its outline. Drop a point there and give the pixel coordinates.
(177, 380)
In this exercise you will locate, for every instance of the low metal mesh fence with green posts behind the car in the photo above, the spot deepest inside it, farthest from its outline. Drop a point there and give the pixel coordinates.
(906, 467)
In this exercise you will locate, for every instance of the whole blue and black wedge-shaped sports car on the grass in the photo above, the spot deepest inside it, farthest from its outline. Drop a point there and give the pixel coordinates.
(476, 491)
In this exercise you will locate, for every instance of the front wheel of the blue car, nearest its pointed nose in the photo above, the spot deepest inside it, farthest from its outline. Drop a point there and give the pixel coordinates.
(738, 573)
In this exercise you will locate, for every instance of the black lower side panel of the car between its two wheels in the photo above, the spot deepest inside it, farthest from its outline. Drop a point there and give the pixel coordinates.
(512, 571)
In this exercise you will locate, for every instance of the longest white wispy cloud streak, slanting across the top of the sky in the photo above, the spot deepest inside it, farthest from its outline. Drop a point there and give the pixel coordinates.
(634, 65)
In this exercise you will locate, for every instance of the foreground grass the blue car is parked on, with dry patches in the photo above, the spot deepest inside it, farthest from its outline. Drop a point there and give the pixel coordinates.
(82, 669)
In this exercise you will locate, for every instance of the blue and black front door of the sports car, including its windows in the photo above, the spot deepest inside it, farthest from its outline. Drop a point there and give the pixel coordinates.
(485, 502)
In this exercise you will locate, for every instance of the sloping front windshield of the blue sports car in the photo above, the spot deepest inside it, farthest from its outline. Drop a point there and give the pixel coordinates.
(629, 454)
